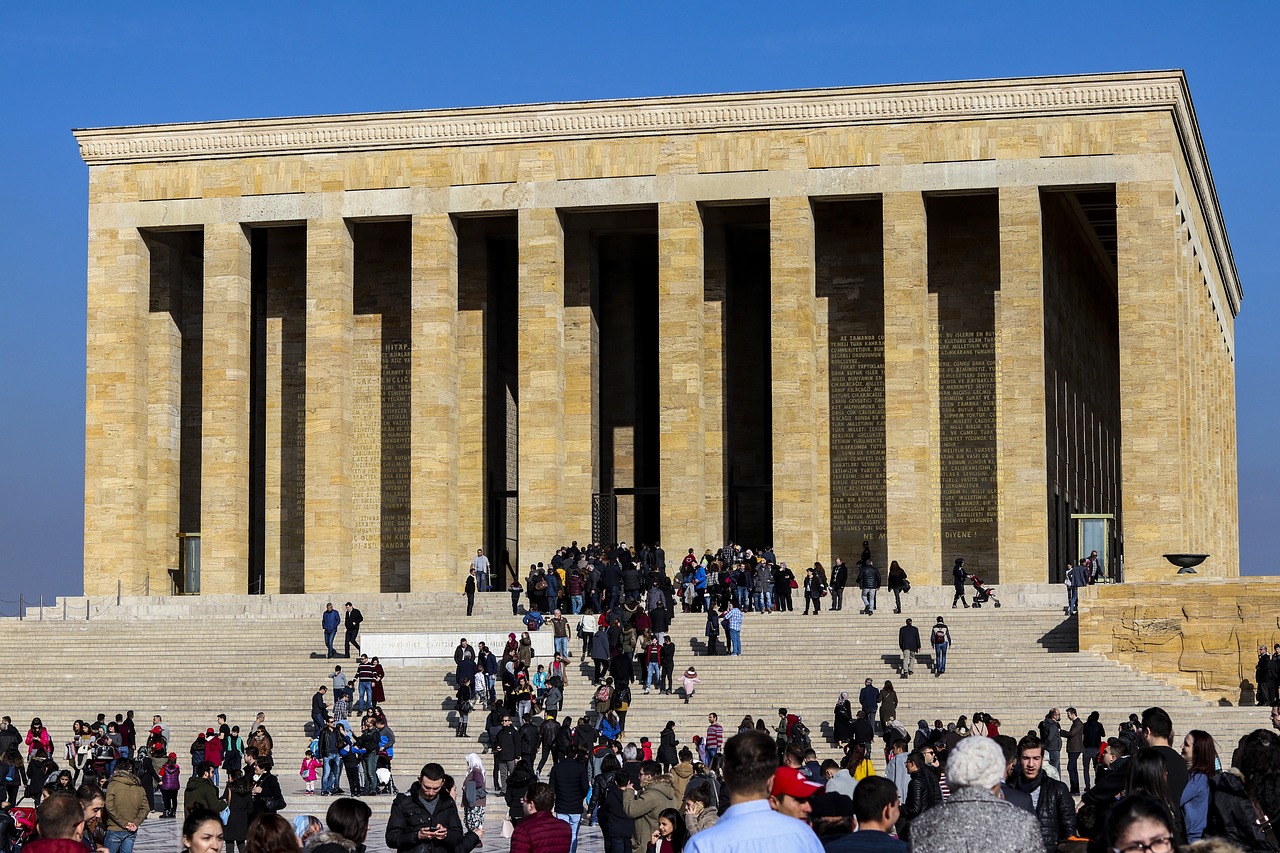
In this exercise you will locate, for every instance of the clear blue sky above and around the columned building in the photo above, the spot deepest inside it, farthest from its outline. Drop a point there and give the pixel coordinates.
(85, 65)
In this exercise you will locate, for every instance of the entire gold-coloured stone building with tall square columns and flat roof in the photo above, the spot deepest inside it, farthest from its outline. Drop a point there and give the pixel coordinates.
(301, 190)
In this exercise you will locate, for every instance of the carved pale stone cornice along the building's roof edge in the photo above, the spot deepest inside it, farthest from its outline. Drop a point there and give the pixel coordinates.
(802, 110)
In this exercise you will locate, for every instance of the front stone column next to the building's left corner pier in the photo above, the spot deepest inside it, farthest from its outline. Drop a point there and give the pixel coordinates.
(225, 422)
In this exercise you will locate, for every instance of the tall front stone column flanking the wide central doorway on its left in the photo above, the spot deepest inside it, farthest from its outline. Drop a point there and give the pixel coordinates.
(541, 353)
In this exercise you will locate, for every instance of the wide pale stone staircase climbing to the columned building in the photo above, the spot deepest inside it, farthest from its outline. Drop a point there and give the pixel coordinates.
(191, 659)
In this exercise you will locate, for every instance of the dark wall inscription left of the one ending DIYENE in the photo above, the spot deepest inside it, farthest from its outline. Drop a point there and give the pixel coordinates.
(857, 395)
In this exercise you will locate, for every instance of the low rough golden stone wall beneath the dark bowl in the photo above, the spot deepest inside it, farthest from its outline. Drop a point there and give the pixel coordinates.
(1196, 633)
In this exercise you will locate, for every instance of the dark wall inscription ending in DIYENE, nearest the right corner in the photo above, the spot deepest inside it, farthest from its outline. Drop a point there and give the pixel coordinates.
(967, 418)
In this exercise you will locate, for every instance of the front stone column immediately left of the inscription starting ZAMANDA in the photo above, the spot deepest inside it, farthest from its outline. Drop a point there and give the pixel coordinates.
(796, 378)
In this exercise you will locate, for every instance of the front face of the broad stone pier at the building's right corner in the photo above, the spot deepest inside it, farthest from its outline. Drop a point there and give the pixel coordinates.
(1151, 444)
